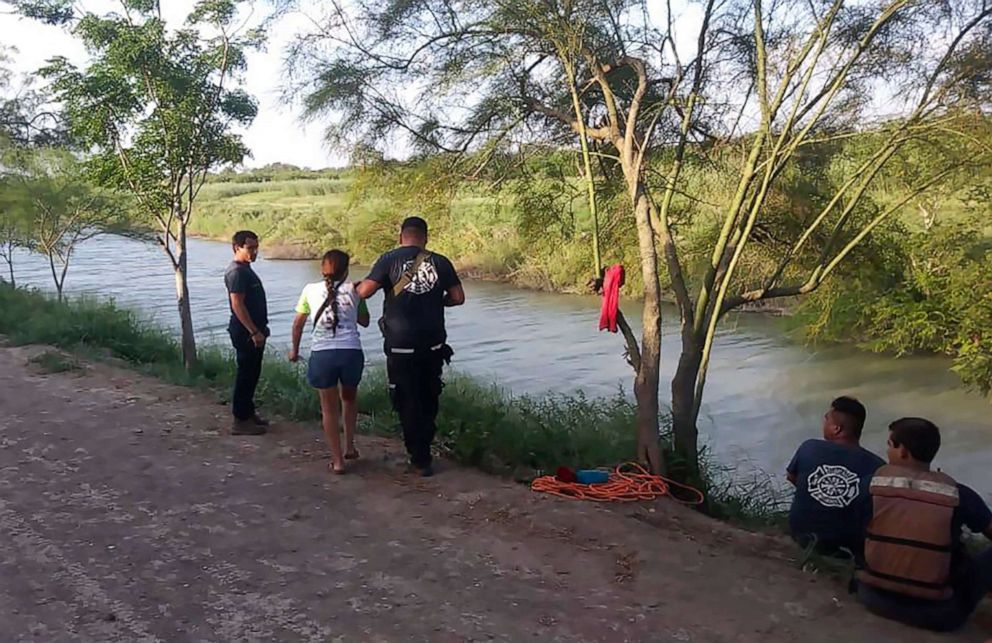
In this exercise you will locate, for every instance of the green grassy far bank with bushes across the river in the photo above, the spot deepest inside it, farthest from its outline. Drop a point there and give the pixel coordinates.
(917, 285)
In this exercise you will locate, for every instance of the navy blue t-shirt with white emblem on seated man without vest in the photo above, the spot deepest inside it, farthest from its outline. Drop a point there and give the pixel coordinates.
(832, 490)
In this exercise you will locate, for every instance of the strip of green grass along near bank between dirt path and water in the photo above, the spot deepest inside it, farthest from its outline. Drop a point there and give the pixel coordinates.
(479, 425)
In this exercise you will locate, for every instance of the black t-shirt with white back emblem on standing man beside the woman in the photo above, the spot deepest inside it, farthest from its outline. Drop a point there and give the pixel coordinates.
(415, 318)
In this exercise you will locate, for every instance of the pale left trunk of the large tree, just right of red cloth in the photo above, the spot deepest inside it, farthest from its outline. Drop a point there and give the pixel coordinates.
(646, 382)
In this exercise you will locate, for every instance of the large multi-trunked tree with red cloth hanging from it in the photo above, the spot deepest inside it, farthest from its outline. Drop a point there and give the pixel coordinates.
(746, 85)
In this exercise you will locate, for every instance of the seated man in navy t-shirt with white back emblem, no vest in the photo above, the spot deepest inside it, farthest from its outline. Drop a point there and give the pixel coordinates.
(831, 507)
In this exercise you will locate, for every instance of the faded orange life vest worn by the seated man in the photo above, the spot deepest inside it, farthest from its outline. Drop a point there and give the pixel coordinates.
(909, 541)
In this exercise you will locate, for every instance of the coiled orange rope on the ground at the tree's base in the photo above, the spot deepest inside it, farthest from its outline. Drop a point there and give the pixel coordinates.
(627, 483)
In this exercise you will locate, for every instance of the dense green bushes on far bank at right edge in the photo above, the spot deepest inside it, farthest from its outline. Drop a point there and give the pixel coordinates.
(935, 296)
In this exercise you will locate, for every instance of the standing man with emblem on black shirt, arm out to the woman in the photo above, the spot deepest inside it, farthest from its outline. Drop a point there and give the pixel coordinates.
(418, 286)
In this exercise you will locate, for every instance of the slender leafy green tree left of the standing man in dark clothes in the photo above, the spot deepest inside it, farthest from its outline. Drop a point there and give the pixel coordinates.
(158, 107)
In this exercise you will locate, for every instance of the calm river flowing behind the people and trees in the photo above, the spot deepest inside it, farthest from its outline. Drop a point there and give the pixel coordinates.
(764, 395)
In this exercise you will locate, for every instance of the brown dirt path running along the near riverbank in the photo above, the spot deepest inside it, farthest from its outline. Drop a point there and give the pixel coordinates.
(126, 514)
